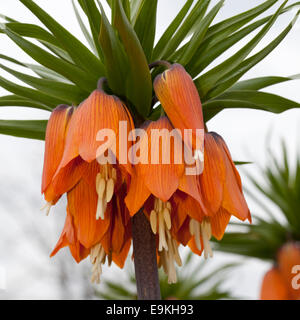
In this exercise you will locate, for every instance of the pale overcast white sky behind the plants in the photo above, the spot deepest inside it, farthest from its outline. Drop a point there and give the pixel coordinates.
(245, 132)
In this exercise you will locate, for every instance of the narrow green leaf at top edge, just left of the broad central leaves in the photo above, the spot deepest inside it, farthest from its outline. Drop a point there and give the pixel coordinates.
(90, 9)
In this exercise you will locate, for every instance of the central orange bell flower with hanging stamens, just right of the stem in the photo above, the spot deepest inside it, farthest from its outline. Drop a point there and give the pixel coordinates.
(167, 193)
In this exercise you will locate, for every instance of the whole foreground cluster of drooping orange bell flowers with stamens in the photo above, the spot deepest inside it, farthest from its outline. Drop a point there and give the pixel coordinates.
(182, 209)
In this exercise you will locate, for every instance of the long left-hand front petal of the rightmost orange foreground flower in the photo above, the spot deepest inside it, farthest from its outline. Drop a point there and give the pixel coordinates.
(212, 179)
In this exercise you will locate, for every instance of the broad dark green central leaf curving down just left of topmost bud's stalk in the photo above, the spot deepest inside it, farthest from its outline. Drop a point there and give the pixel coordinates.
(139, 84)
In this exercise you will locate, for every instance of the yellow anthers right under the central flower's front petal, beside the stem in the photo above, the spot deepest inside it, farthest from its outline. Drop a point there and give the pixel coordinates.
(160, 218)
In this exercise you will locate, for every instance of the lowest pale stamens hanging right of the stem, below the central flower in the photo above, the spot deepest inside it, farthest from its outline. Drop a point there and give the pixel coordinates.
(169, 257)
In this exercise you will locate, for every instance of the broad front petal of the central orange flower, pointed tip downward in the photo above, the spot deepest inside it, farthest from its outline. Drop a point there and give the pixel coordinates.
(162, 179)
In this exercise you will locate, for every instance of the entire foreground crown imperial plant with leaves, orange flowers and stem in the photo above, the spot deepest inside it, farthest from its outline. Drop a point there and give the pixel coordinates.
(135, 171)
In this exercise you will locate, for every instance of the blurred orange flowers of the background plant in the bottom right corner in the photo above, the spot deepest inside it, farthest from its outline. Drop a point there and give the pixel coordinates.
(280, 283)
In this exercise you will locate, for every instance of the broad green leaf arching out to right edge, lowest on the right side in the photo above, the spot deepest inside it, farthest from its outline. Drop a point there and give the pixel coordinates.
(247, 99)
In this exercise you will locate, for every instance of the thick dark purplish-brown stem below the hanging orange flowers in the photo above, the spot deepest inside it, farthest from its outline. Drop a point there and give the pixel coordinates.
(145, 263)
